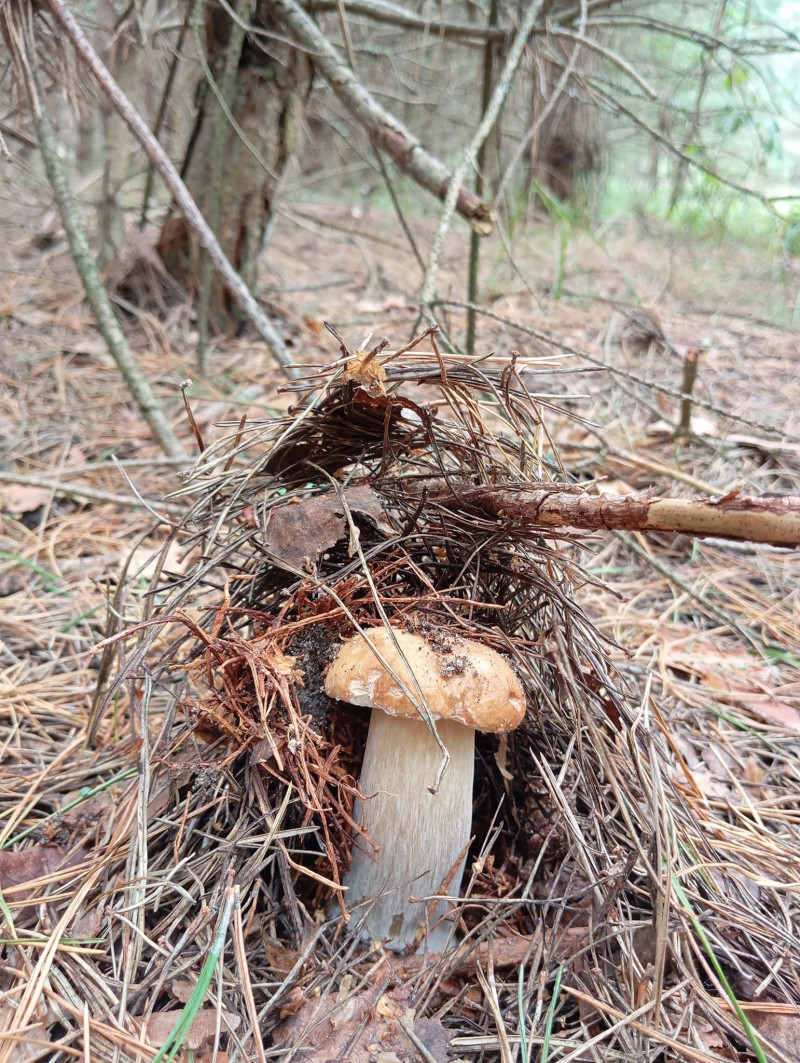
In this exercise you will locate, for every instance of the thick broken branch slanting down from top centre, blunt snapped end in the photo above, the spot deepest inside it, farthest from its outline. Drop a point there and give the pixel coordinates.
(388, 132)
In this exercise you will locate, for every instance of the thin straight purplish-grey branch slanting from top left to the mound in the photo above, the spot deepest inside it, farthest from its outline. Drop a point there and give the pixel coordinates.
(159, 158)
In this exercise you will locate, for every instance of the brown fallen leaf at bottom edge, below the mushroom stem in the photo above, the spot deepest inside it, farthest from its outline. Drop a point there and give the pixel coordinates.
(363, 1028)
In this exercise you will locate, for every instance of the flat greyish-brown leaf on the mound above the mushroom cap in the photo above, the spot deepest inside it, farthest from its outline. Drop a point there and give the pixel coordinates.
(300, 531)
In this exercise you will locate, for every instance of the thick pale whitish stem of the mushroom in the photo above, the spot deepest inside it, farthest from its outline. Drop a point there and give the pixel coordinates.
(421, 836)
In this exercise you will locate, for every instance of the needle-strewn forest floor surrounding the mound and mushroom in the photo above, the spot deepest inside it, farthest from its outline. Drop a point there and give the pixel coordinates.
(705, 632)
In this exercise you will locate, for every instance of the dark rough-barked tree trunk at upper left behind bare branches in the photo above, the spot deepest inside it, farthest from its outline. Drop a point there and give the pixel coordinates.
(273, 85)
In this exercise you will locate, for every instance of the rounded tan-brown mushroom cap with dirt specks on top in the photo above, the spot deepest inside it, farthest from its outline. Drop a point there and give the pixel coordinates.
(463, 681)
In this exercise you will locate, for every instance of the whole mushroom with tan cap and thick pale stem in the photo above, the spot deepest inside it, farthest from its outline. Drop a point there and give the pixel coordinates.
(421, 836)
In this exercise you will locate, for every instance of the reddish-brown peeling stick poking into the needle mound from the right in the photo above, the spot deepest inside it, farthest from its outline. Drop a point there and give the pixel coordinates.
(773, 519)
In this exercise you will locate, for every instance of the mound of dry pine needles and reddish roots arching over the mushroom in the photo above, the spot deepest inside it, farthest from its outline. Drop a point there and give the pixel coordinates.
(591, 854)
